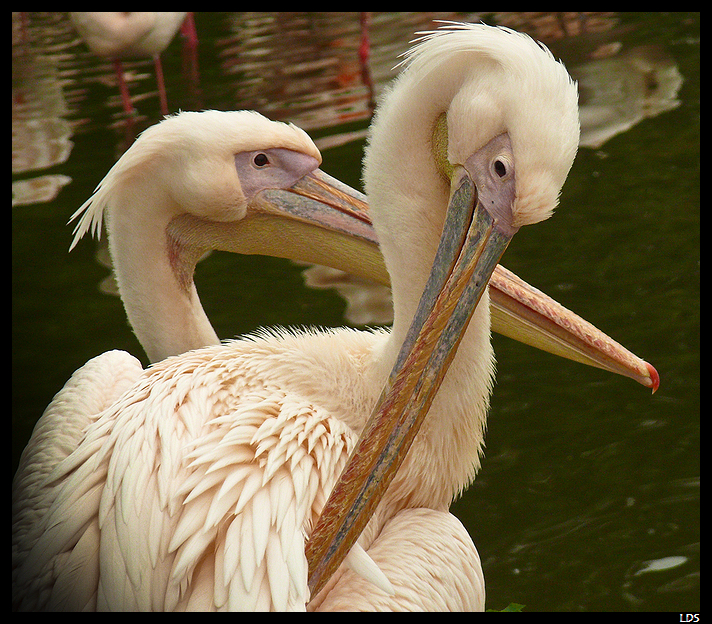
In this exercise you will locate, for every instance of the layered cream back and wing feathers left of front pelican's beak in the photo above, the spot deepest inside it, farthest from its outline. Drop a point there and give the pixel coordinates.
(172, 488)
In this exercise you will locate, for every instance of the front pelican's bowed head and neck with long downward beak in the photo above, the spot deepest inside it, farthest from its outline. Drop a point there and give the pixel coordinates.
(473, 141)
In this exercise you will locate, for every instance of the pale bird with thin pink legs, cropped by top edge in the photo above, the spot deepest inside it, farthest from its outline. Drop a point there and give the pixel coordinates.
(122, 34)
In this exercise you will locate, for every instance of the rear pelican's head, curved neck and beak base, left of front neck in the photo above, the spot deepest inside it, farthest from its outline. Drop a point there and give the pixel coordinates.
(233, 181)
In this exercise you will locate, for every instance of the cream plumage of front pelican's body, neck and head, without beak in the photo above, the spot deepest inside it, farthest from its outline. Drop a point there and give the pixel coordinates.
(194, 484)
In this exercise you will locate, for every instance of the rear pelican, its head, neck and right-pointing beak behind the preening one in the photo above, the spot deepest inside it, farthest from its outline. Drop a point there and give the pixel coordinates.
(142, 194)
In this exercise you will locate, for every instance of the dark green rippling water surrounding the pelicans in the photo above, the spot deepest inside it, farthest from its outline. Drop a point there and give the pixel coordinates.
(586, 477)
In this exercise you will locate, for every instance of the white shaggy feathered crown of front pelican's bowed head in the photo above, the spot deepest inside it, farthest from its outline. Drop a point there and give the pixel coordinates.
(505, 82)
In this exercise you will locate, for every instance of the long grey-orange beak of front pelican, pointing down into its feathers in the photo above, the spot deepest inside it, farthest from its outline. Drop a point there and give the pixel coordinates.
(470, 247)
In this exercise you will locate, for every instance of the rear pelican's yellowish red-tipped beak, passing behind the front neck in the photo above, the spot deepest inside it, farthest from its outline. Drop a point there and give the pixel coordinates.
(323, 221)
